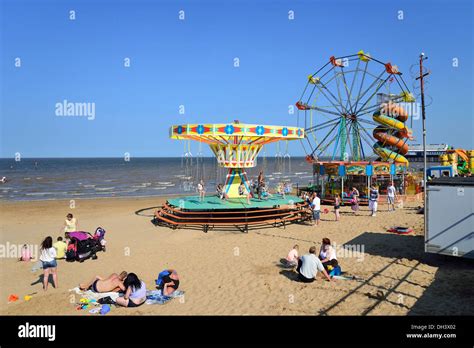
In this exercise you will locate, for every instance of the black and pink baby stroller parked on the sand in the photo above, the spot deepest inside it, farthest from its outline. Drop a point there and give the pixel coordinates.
(84, 245)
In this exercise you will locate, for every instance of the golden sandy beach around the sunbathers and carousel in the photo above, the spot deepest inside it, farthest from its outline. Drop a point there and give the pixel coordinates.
(233, 273)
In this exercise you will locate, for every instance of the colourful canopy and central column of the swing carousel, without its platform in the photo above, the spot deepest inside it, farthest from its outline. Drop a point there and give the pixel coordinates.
(235, 145)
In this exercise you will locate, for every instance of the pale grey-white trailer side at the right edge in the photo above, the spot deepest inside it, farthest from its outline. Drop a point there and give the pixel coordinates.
(450, 217)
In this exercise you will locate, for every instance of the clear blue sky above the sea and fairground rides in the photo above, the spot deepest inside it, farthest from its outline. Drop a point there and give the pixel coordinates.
(190, 63)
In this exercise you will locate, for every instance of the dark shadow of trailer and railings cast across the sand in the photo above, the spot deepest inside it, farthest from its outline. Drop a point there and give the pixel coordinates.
(450, 292)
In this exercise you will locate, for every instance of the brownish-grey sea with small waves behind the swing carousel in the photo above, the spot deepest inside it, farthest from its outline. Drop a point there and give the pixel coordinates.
(78, 178)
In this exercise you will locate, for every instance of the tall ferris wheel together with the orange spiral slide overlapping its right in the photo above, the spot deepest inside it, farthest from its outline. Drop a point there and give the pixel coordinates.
(355, 107)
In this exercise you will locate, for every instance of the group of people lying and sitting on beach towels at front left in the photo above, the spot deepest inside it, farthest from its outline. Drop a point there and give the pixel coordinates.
(131, 288)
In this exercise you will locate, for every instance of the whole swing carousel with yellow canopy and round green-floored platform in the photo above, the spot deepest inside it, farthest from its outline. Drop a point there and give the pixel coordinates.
(236, 147)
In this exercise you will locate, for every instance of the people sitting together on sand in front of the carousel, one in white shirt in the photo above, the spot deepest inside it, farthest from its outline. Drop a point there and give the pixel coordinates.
(308, 265)
